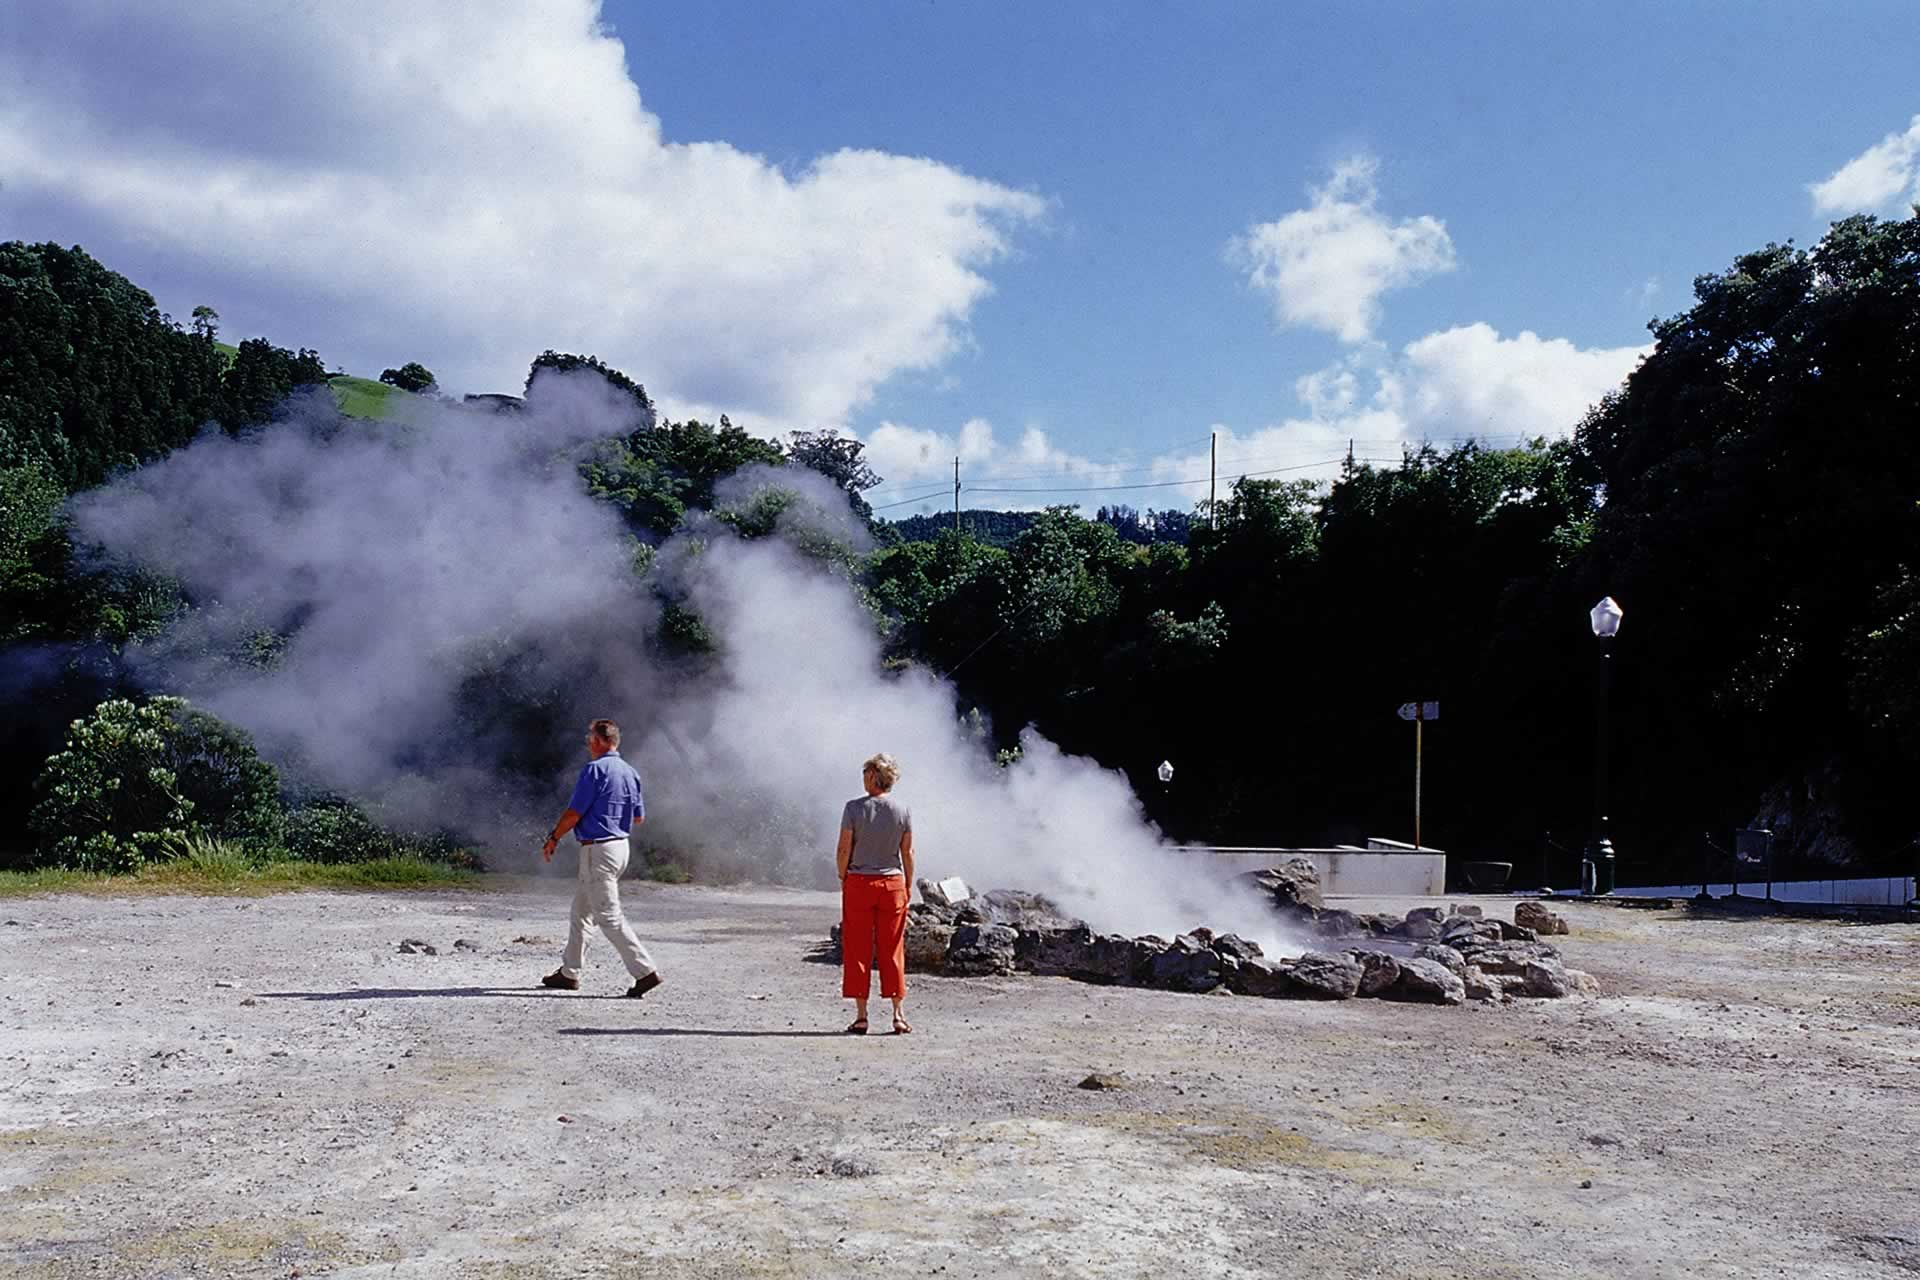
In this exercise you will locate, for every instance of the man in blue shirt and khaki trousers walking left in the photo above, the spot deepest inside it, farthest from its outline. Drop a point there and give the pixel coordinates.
(604, 811)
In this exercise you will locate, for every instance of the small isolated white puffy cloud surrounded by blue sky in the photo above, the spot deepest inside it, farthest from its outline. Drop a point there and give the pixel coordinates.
(1328, 266)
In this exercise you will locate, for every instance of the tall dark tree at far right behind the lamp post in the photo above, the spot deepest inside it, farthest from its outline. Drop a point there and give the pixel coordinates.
(1760, 477)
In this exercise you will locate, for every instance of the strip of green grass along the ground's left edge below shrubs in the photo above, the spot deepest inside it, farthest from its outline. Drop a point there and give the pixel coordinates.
(222, 874)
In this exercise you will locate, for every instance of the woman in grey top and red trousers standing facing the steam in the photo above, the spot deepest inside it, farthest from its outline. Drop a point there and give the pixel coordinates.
(876, 868)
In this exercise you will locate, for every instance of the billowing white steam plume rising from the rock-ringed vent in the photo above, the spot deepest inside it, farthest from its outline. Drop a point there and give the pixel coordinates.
(396, 559)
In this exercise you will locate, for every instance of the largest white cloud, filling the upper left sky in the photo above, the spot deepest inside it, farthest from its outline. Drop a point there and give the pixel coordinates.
(469, 185)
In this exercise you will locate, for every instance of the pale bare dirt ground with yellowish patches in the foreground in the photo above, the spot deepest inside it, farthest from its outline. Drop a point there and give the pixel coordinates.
(1739, 1102)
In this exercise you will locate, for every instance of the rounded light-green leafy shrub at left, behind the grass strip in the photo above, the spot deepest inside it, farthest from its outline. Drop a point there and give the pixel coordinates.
(137, 780)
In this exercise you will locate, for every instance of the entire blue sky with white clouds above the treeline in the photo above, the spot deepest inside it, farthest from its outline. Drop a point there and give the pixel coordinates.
(1065, 241)
